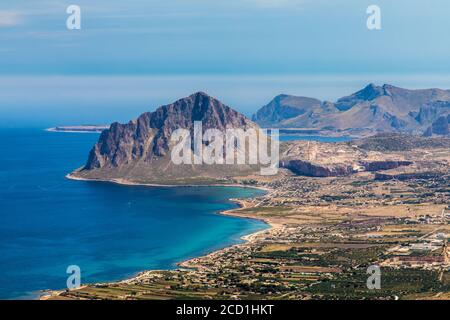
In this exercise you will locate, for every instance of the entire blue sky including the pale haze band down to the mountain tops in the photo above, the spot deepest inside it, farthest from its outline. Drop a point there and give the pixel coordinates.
(132, 55)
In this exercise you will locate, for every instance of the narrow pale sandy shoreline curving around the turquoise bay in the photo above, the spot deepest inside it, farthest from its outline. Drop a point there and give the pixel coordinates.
(47, 294)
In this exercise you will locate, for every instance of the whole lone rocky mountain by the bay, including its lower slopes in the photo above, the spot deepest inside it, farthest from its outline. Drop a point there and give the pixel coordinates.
(139, 151)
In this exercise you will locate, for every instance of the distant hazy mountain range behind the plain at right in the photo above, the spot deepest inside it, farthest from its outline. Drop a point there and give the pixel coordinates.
(371, 110)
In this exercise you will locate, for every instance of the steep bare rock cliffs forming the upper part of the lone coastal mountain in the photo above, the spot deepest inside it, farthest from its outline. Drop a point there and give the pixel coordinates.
(148, 137)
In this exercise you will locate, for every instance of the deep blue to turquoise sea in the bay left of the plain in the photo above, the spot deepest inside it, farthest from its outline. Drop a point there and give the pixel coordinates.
(111, 232)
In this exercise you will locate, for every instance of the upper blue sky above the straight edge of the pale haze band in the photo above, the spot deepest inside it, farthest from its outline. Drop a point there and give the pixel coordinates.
(223, 36)
